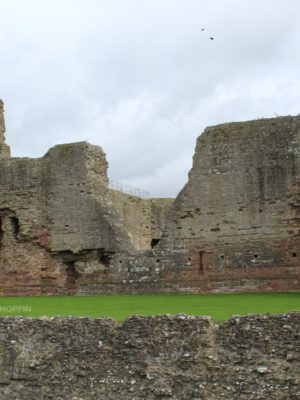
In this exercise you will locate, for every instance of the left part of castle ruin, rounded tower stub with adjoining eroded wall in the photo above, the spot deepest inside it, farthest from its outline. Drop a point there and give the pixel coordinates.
(55, 213)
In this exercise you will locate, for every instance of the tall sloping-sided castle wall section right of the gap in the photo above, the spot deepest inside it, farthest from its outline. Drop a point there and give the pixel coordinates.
(237, 219)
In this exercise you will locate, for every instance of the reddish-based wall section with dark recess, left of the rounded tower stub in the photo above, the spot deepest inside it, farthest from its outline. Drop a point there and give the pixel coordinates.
(26, 267)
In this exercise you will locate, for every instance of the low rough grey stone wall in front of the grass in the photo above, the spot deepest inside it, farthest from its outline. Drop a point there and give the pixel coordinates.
(175, 357)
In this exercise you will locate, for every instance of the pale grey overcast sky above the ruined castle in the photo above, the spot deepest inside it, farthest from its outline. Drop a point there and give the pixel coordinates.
(140, 78)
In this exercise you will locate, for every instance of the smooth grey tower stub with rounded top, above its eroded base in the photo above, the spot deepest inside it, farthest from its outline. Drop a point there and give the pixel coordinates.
(79, 216)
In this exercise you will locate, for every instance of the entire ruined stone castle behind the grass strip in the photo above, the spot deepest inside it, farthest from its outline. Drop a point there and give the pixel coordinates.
(235, 226)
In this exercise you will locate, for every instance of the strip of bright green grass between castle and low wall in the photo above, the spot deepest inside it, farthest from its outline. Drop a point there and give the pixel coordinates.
(219, 306)
